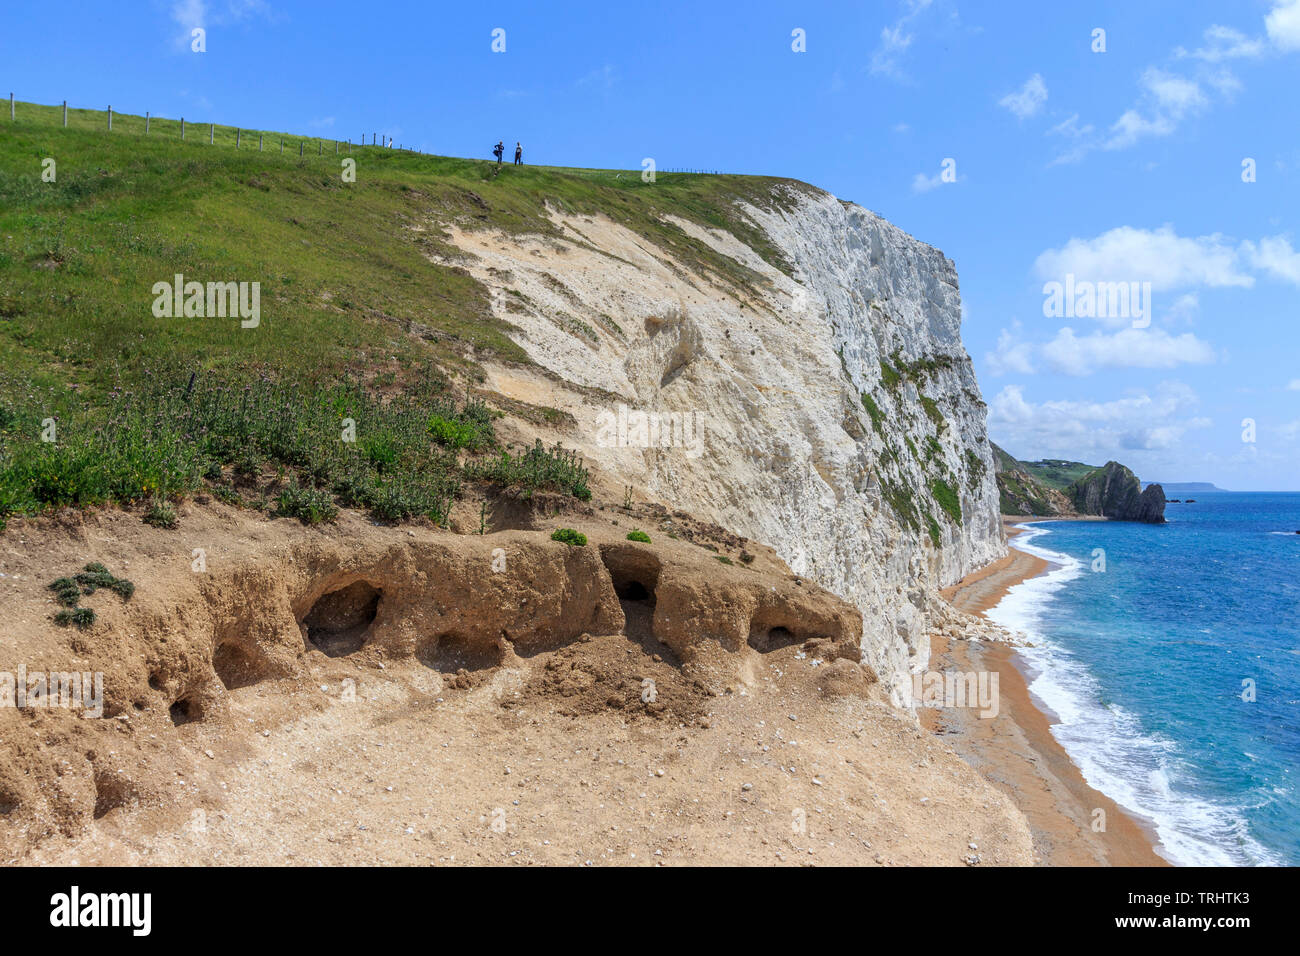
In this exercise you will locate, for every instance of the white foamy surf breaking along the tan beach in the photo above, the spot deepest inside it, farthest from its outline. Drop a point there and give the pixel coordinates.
(1116, 756)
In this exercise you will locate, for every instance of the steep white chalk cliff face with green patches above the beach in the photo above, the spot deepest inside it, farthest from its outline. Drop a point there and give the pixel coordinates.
(837, 418)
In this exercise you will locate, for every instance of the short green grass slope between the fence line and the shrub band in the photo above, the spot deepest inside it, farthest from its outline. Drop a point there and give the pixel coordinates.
(345, 271)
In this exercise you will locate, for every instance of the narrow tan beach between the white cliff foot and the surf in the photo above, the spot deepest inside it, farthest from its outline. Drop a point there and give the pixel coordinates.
(1016, 750)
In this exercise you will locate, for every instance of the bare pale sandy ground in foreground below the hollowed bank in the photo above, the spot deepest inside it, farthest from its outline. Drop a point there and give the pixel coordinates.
(402, 778)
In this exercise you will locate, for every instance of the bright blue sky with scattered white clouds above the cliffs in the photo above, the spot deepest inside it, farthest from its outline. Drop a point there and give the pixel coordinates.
(1117, 166)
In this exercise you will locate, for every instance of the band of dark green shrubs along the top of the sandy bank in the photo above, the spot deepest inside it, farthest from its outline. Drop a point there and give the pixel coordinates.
(167, 440)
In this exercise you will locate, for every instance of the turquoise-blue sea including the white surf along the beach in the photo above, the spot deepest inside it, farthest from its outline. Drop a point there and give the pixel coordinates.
(1172, 657)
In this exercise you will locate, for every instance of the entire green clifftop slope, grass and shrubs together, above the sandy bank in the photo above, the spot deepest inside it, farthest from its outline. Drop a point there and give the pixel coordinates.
(105, 400)
